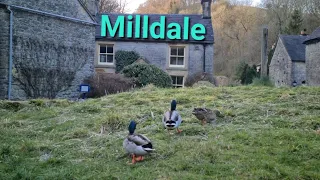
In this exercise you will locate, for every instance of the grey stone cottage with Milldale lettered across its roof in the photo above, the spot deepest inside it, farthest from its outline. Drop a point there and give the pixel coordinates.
(178, 57)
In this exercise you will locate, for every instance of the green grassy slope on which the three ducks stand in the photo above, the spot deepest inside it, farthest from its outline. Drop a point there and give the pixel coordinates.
(267, 133)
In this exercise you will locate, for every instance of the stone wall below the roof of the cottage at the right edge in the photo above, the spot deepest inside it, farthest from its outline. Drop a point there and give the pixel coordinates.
(313, 64)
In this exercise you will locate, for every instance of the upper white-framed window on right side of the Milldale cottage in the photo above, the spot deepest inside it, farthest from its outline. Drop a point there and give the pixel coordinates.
(177, 56)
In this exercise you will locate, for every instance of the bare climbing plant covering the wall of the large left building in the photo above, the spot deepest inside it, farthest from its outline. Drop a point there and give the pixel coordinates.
(44, 77)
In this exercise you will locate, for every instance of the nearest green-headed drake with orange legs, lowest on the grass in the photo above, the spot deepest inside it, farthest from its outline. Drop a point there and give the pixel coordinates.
(137, 145)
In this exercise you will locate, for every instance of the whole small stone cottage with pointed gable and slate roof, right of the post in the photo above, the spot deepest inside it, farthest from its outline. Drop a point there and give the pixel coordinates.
(288, 67)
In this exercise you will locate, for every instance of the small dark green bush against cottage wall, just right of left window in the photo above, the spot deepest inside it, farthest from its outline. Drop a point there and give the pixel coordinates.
(125, 58)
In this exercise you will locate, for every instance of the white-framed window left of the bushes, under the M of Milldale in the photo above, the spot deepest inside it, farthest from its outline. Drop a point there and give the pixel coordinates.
(106, 54)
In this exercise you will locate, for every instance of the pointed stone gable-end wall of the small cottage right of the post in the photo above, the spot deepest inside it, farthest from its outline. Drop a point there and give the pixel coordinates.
(280, 66)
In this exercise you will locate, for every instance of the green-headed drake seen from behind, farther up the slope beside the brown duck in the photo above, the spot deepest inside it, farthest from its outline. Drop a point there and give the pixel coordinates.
(172, 119)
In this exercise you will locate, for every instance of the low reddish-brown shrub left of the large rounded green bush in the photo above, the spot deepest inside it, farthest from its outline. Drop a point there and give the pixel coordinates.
(105, 83)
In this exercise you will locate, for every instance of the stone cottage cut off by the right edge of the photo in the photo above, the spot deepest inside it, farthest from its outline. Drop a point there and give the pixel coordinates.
(313, 58)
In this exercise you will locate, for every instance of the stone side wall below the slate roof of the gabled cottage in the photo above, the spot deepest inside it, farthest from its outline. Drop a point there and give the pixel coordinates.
(299, 72)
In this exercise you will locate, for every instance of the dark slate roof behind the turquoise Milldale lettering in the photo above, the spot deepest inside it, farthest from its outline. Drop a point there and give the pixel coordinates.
(170, 18)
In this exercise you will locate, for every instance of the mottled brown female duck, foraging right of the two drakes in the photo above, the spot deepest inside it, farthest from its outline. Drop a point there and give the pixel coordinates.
(206, 115)
